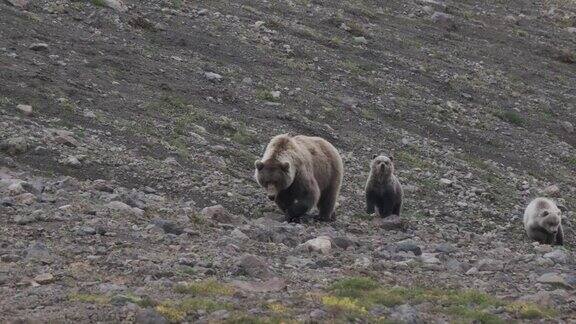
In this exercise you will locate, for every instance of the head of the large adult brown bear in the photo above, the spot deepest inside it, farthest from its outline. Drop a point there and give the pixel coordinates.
(274, 176)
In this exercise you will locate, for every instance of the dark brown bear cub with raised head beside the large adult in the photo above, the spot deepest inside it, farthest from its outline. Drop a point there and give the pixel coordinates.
(383, 190)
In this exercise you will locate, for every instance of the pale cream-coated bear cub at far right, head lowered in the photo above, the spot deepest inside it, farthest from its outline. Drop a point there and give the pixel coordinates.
(543, 222)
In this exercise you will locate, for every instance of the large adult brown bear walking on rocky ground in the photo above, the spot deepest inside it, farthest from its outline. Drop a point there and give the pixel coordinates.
(300, 172)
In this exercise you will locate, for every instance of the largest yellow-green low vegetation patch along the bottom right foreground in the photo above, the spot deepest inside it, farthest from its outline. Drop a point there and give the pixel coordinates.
(355, 296)
